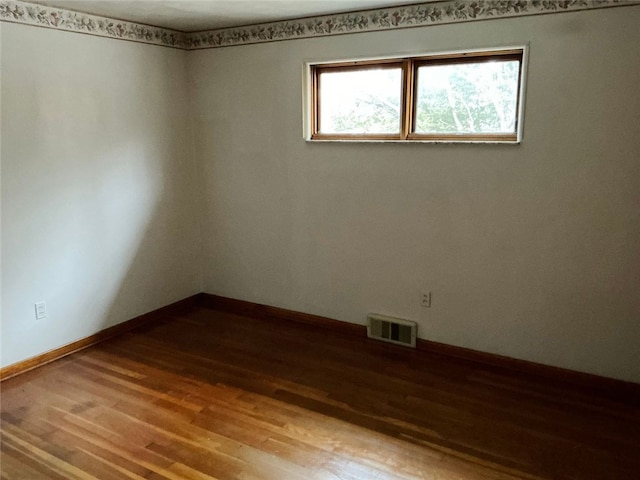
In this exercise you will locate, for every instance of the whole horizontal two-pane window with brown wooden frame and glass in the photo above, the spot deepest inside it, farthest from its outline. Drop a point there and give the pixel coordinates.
(462, 97)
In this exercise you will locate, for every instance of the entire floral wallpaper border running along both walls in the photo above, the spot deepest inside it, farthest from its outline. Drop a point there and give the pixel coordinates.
(409, 16)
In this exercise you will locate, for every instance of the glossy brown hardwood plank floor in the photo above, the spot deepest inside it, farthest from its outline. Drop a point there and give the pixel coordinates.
(208, 394)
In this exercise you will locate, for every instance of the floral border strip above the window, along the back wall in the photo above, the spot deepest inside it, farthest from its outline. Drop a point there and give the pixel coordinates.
(409, 16)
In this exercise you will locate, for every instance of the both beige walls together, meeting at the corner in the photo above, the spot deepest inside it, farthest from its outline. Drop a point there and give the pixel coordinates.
(531, 251)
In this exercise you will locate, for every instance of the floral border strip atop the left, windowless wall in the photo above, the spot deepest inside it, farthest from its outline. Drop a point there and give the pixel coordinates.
(14, 11)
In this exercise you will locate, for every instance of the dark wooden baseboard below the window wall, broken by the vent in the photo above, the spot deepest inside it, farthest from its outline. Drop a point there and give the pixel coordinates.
(605, 387)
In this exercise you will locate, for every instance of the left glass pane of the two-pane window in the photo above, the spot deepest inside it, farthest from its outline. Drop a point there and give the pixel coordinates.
(365, 101)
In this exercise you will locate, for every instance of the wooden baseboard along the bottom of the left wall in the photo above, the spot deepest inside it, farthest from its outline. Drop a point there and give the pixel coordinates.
(48, 357)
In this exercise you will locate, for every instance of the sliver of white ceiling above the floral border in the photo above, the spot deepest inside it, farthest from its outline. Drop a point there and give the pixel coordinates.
(197, 15)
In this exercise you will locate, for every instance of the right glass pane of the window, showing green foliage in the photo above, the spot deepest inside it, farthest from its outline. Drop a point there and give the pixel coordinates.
(464, 98)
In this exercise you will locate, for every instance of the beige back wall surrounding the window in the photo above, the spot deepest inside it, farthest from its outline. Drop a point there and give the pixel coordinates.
(531, 251)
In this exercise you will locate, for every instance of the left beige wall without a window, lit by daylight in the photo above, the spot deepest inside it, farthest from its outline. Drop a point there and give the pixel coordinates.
(97, 185)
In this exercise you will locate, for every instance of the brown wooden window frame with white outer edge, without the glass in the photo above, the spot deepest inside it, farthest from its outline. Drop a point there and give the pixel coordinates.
(408, 111)
